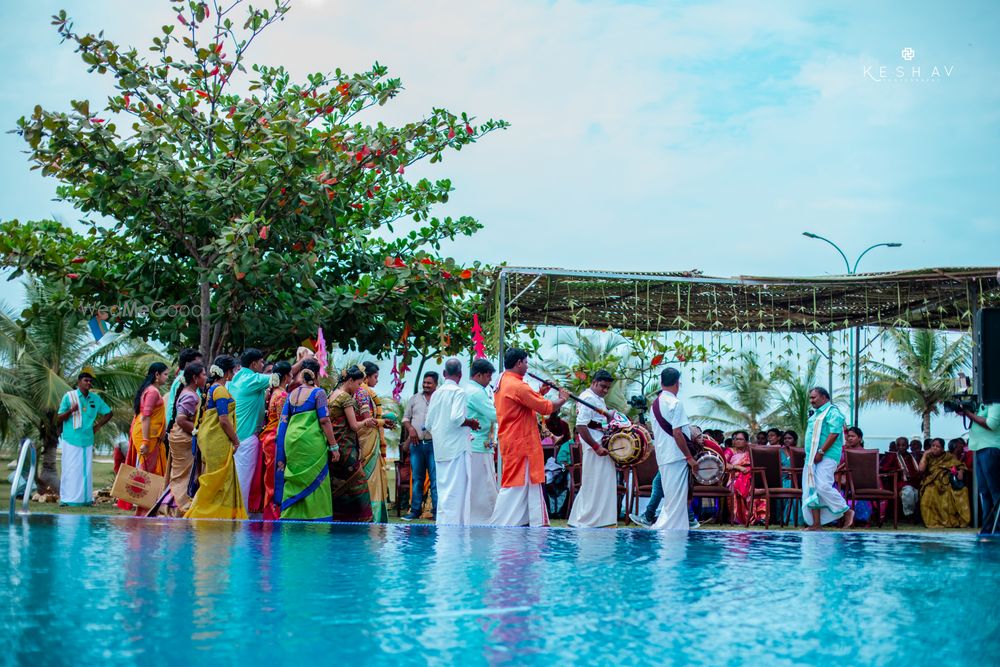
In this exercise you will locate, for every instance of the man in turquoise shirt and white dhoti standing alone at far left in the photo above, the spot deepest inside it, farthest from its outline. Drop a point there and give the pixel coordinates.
(86, 413)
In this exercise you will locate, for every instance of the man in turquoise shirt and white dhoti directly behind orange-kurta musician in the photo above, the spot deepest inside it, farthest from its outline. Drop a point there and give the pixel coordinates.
(482, 470)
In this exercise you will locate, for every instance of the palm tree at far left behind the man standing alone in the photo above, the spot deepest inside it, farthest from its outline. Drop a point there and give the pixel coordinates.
(40, 357)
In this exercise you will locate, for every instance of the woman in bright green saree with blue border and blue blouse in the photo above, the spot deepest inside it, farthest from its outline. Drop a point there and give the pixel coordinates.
(303, 445)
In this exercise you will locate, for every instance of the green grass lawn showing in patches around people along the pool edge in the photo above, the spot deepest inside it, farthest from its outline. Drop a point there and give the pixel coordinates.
(104, 476)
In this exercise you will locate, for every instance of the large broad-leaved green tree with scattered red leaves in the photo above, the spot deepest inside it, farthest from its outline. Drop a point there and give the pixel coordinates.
(229, 205)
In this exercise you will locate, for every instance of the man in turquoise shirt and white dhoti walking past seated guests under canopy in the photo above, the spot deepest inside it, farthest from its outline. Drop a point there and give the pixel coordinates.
(821, 503)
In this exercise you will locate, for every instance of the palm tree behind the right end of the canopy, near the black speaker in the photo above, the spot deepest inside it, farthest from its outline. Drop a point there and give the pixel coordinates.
(928, 364)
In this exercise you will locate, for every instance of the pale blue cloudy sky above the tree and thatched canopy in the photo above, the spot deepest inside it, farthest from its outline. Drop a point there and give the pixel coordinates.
(654, 136)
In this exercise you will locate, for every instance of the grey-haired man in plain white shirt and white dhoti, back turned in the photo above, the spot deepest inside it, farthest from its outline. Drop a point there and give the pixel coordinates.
(450, 429)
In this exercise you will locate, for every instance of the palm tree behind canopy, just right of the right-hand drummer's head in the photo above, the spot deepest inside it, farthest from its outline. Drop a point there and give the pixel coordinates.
(753, 393)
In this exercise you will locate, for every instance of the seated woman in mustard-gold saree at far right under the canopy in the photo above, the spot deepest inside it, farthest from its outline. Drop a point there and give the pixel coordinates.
(941, 504)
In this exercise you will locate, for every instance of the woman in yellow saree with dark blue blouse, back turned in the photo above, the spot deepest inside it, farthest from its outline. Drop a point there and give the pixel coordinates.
(218, 495)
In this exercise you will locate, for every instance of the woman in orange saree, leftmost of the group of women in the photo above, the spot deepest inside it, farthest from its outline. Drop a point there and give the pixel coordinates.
(147, 450)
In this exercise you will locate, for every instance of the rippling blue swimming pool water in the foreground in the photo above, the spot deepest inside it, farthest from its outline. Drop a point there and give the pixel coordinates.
(82, 590)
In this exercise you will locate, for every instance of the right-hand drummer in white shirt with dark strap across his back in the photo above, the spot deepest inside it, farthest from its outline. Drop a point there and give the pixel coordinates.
(671, 435)
